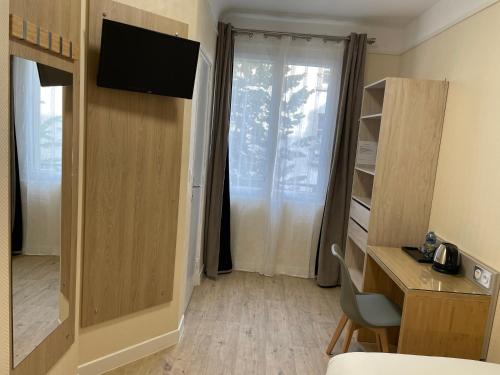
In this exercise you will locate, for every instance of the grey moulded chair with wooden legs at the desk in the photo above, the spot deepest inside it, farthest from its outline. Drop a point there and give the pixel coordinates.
(363, 310)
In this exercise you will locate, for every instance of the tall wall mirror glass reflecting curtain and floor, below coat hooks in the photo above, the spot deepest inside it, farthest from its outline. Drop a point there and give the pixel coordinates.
(38, 305)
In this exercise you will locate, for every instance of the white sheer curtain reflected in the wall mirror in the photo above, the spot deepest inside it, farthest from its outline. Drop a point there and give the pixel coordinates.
(38, 123)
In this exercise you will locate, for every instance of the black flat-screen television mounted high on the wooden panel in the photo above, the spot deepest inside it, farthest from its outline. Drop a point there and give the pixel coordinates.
(137, 59)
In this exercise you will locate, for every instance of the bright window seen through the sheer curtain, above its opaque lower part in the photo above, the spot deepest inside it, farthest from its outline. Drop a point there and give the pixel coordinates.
(285, 95)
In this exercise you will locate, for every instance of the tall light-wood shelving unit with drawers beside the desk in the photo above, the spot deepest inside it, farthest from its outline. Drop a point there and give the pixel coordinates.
(398, 146)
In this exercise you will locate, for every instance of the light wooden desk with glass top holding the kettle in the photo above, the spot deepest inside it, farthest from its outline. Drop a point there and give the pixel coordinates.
(442, 315)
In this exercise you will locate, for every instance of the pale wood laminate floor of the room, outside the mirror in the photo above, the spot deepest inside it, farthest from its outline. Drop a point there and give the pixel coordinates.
(245, 323)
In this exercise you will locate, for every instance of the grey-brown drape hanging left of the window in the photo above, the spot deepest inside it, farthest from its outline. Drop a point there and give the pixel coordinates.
(216, 167)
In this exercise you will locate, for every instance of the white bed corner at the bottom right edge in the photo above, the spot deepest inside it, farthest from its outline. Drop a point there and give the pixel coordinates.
(400, 364)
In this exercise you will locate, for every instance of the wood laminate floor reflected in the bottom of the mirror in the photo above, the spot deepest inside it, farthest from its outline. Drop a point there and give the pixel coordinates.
(35, 301)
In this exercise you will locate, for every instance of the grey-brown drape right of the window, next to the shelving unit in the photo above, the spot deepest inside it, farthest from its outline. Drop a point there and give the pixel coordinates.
(336, 212)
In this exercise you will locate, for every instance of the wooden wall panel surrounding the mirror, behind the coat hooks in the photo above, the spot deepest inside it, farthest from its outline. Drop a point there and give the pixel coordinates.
(61, 17)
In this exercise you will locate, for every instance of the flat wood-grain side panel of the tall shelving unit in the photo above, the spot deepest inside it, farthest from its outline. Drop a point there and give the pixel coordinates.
(409, 141)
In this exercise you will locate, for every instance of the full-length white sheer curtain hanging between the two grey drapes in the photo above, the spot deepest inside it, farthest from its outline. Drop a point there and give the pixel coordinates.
(283, 111)
